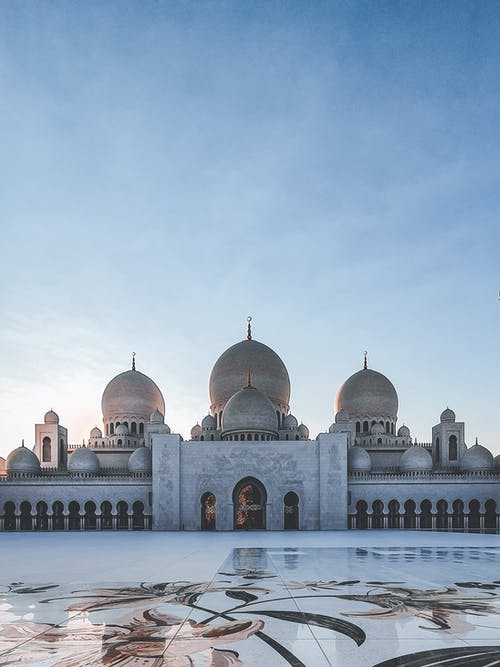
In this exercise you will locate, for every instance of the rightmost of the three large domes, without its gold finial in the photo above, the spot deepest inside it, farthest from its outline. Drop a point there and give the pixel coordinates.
(367, 393)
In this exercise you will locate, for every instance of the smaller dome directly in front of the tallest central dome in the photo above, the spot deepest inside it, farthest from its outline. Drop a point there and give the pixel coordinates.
(249, 409)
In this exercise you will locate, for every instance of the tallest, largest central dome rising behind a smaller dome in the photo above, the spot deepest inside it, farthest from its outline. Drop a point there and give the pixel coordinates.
(267, 371)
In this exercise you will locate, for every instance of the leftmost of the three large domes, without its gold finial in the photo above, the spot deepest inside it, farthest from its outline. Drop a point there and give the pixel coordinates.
(131, 394)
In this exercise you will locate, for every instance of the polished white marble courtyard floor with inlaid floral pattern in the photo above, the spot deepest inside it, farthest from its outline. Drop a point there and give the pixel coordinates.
(371, 599)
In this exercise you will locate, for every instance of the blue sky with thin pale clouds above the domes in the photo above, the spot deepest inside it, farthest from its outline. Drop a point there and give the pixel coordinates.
(169, 168)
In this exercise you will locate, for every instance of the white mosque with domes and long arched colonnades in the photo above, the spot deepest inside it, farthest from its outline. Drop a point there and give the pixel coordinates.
(249, 464)
